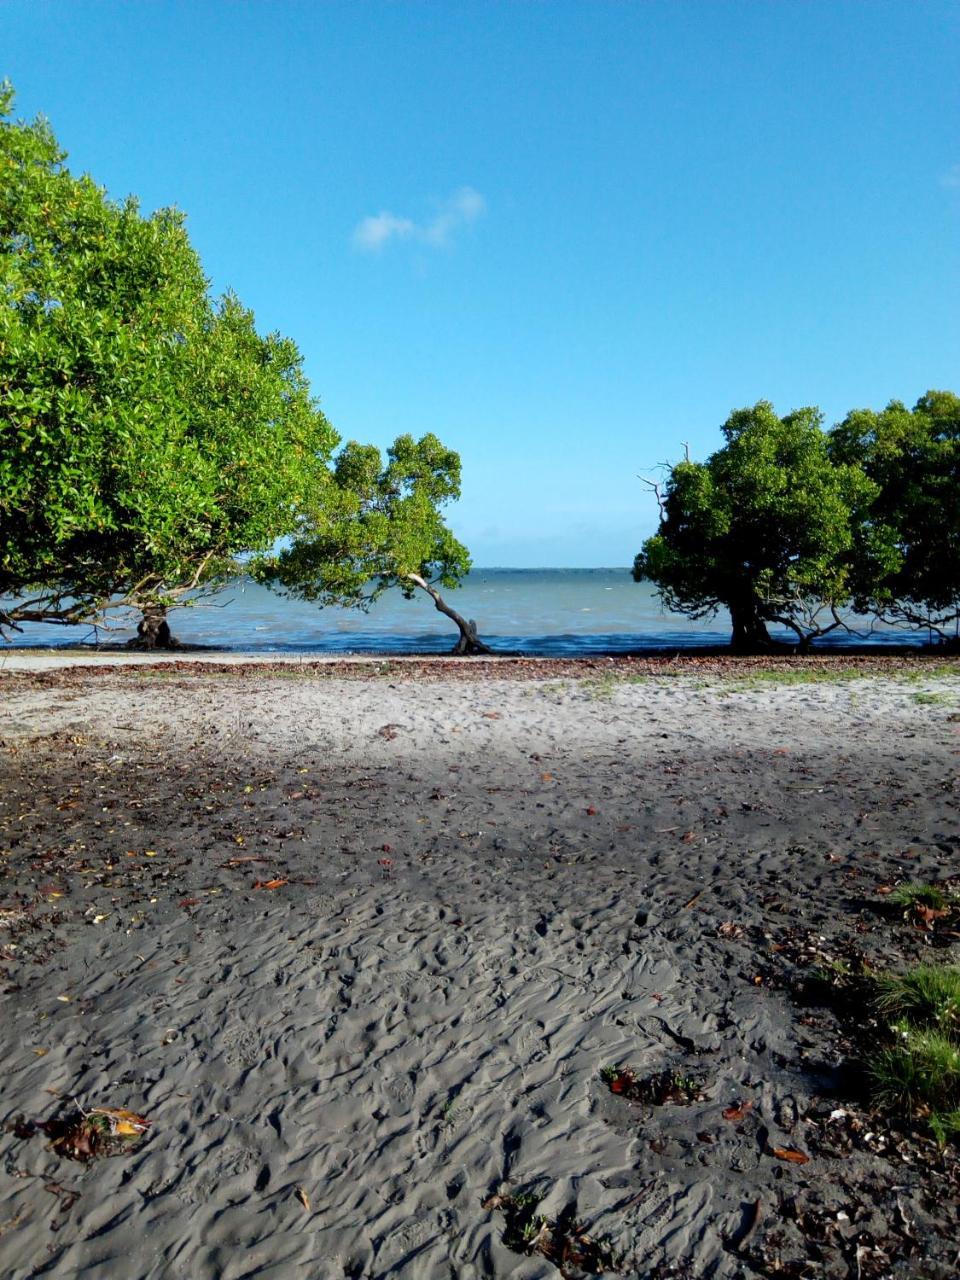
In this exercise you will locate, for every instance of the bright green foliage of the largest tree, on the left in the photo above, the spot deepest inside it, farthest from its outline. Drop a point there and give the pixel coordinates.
(148, 435)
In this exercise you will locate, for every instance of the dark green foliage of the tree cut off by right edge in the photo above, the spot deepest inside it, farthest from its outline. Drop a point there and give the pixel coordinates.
(908, 563)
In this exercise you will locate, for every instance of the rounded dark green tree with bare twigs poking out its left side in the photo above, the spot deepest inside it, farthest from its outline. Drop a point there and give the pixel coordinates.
(764, 528)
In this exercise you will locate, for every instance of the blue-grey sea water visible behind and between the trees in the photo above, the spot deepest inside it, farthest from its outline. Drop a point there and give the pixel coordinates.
(548, 612)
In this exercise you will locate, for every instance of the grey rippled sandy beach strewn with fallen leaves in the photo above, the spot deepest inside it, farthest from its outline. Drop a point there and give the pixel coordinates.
(481, 885)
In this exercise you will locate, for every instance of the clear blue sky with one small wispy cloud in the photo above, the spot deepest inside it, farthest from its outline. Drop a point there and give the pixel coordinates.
(565, 237)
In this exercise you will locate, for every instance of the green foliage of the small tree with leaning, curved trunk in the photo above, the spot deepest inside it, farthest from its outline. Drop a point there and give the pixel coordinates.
(378, 527)
